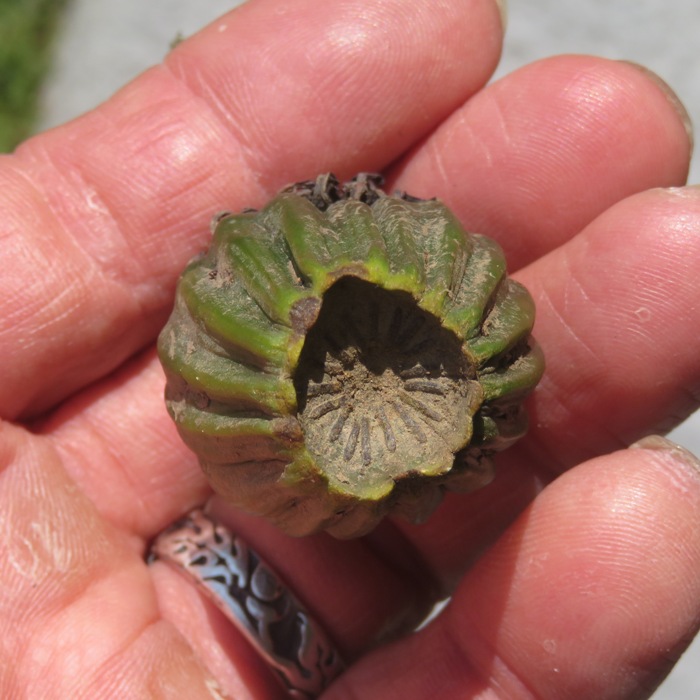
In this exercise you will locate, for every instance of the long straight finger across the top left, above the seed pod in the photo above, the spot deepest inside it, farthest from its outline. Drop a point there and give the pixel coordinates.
(103, 213)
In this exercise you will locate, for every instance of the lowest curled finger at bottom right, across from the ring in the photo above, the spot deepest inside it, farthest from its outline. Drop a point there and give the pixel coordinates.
(592, 593)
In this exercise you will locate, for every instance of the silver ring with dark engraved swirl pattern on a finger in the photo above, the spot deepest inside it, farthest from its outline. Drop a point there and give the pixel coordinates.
(252, 596)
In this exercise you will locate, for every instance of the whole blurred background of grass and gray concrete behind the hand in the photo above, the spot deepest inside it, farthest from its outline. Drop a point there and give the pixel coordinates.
(59, 58)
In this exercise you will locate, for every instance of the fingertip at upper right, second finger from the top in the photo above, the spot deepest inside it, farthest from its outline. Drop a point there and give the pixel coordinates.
(536, 156)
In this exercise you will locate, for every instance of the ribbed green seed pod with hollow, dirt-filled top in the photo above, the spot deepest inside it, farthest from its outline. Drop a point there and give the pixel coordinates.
(342, 354)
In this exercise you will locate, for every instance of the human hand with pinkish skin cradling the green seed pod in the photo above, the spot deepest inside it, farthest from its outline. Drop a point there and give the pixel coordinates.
(588, 589)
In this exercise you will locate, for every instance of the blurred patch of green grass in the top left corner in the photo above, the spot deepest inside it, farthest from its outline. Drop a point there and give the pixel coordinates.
(26, 32)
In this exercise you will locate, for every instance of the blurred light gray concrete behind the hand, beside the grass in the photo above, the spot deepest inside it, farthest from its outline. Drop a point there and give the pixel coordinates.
(104, 44)
